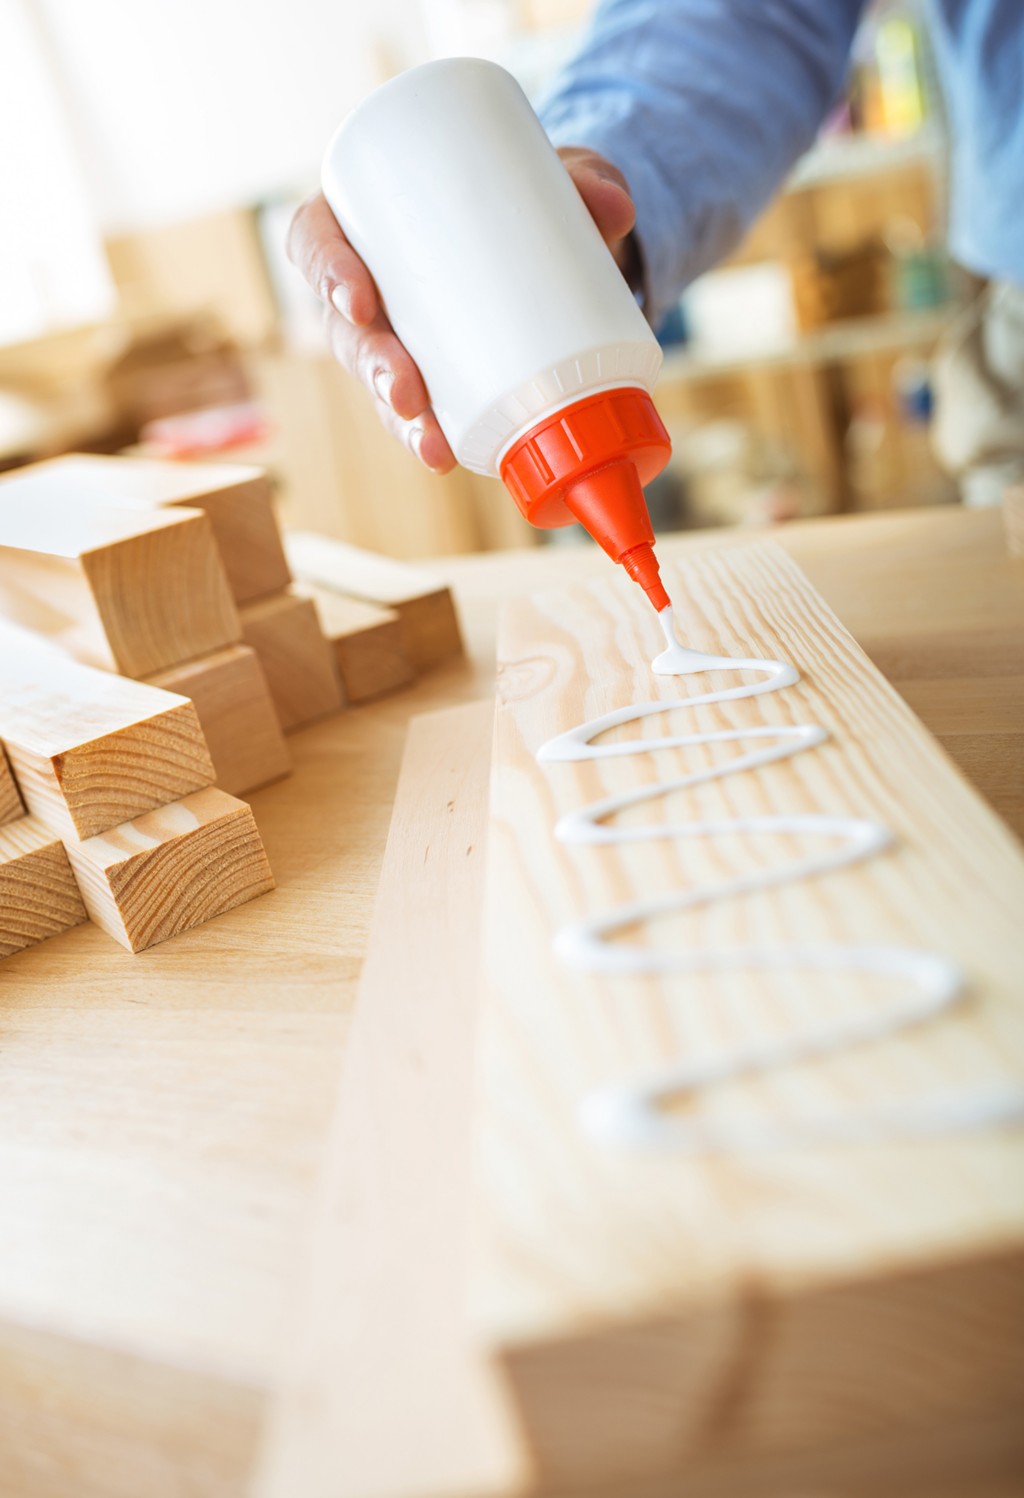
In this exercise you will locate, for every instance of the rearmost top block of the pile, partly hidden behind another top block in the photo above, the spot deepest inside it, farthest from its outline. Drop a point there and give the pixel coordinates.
(237, 500)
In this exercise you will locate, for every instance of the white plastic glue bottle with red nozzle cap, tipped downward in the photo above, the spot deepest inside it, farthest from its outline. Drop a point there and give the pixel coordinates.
(537, 359)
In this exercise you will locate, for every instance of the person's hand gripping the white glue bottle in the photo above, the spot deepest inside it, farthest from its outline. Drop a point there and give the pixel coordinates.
(365, 342)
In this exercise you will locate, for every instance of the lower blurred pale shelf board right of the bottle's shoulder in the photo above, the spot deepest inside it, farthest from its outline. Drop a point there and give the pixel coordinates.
(836, 344)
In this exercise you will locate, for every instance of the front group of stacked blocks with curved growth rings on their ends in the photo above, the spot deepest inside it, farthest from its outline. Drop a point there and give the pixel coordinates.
(124, 822)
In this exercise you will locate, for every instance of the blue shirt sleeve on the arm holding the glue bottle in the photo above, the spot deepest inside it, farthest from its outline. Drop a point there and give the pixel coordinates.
(704, 106)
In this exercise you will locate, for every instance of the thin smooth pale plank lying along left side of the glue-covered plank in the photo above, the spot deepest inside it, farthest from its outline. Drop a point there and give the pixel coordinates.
(381, 1367)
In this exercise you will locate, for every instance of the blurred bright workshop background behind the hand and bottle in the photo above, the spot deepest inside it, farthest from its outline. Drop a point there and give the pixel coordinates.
(155, 154)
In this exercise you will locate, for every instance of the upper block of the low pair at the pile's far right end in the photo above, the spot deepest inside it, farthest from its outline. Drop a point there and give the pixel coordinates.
(421, 601)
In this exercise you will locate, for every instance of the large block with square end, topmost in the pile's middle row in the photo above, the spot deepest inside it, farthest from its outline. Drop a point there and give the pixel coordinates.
(131, 591)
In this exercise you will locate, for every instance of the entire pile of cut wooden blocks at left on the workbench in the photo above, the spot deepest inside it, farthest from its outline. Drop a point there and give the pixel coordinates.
(156, 645)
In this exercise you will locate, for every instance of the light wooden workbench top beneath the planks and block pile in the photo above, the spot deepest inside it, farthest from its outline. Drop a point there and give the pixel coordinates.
(162, 1117)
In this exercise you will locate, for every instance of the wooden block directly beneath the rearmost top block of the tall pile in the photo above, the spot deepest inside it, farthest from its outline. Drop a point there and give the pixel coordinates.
(297, 660)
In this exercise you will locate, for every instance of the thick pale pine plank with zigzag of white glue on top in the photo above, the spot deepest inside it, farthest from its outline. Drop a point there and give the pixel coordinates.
(662, 1314)
